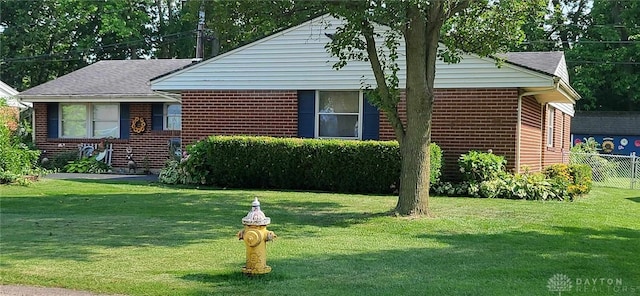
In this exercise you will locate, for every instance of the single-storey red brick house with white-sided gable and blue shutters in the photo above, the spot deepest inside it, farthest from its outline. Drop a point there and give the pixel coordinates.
(284, 85)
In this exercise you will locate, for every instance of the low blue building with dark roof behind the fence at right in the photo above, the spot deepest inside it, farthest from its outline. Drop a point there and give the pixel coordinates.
(616, 132)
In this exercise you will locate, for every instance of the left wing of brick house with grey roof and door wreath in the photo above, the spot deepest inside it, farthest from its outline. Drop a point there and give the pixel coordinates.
(108, 99)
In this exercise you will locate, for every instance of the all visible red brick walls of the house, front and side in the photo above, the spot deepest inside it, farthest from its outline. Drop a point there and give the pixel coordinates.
(463, 120)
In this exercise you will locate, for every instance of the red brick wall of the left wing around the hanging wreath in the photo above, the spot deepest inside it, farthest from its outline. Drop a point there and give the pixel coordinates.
(153, 144)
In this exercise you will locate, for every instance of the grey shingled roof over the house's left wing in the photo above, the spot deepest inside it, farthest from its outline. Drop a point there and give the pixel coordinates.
(108, 78)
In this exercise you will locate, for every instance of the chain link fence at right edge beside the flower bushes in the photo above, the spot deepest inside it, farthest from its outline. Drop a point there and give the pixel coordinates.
(620, 171)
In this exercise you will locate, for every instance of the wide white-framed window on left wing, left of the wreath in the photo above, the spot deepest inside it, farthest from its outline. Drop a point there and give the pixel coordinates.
(89, 120)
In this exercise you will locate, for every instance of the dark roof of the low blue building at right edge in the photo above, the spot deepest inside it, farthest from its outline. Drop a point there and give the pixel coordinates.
(606, 123)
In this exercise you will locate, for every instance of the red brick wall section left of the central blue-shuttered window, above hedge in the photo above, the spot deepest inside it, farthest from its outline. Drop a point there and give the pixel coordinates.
(266, 113)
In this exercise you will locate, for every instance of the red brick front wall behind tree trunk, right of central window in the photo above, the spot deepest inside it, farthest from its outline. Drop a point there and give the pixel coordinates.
(470, 119)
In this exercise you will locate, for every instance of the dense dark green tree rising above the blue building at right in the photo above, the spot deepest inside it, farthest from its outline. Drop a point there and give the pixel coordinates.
(606, 59)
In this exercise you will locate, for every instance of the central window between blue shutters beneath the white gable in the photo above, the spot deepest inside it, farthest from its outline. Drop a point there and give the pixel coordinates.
(338, 114)
